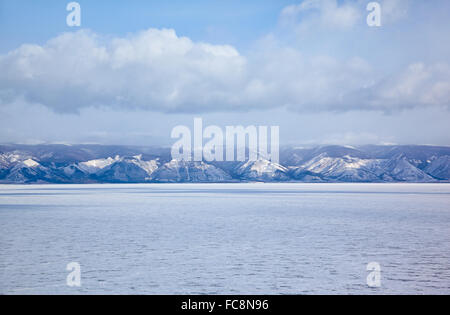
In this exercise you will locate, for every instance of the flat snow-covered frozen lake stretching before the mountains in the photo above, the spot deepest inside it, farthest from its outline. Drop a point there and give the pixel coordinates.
(225, 238)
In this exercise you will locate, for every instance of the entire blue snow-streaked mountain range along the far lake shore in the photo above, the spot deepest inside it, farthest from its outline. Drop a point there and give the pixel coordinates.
(82, 164)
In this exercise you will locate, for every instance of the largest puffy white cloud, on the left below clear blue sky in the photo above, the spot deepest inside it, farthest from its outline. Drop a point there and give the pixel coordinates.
(154, 69)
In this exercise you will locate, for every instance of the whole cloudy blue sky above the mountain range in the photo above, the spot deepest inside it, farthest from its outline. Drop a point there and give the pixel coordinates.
(136, 69)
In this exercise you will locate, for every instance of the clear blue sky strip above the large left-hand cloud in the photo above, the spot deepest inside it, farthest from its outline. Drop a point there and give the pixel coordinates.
(217, 21)
